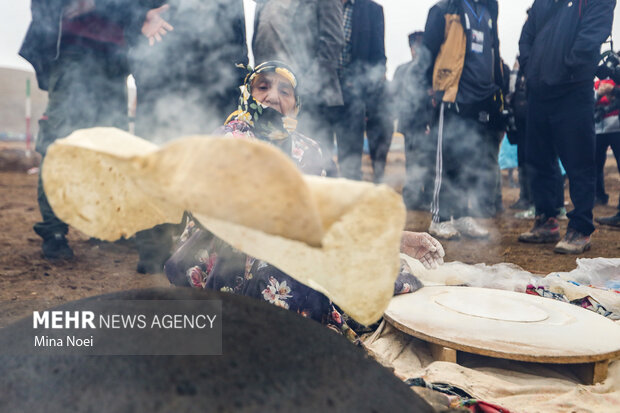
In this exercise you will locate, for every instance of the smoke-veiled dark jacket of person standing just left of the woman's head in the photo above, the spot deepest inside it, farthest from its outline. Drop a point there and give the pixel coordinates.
(207, 42)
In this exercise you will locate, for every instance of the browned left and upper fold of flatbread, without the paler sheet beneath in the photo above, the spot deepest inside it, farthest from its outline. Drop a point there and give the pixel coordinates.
(118, 184)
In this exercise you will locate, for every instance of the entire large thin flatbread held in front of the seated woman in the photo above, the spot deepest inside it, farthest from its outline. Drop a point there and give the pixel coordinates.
(339, 237)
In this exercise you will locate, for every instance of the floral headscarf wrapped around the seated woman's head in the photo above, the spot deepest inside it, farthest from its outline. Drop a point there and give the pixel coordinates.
(267, 122)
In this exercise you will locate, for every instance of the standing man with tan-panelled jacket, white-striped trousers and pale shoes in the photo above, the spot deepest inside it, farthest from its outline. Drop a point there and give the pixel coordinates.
(466, 76)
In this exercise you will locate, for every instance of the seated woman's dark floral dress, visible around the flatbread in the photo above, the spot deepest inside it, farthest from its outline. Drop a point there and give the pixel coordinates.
(204, 261)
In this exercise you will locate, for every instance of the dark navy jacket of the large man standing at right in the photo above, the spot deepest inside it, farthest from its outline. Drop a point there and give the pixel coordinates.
(560, 44)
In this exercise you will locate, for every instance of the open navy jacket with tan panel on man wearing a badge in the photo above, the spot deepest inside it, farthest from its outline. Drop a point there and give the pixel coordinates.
(445, 39)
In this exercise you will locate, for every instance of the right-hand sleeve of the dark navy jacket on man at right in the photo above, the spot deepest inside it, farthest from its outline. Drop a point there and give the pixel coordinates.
(594, 28)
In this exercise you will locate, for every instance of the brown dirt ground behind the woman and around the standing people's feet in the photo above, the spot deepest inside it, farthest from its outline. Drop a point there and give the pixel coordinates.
(27, 281)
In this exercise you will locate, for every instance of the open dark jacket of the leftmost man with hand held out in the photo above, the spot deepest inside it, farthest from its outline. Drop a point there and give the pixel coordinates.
(41, 46)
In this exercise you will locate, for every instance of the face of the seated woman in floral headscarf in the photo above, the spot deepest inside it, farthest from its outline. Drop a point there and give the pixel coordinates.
(274, 90)
